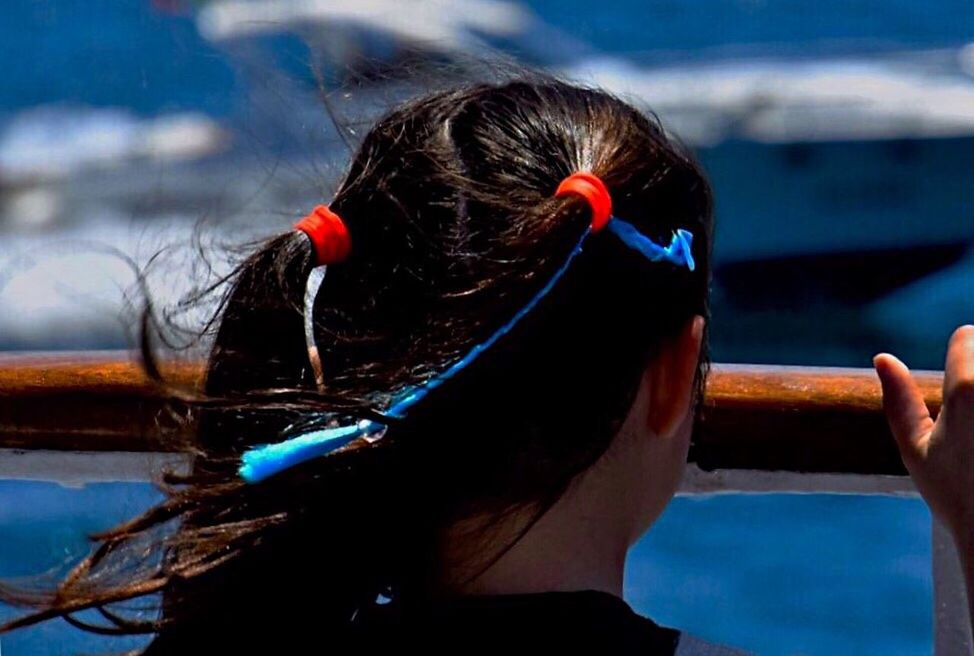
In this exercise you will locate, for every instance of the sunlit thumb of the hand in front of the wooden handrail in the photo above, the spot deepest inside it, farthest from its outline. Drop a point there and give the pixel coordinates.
(907, 413)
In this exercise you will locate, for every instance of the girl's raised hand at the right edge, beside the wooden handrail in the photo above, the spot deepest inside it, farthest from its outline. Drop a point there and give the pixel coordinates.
(938, 454)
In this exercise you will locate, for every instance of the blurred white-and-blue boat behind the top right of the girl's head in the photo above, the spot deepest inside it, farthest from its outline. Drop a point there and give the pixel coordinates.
(869, 156)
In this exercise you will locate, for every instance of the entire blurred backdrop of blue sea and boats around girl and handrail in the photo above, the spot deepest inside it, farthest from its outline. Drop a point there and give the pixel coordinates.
(137, 136)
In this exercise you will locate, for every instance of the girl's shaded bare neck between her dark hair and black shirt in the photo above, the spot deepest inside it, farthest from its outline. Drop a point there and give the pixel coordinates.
(581, 542)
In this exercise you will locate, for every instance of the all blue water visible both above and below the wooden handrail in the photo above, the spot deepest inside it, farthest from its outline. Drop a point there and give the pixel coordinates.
(812, 574)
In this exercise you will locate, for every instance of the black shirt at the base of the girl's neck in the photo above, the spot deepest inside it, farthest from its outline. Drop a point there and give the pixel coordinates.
(543, 623)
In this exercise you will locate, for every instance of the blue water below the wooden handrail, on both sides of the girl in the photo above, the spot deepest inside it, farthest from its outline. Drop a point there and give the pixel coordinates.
(803, 574)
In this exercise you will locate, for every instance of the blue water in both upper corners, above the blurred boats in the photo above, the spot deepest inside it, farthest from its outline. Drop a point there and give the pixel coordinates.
(124, 52)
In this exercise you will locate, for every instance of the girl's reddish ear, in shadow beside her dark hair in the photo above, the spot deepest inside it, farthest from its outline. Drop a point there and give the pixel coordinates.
(671, 378)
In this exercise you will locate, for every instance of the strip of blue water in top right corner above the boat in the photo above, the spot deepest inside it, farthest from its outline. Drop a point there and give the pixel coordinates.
(663, 29)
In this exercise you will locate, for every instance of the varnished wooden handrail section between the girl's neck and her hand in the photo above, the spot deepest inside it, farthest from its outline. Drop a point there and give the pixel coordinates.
(801, 419)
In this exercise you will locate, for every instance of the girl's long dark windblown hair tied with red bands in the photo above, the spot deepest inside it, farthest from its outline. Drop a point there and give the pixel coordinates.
(450, 204)
